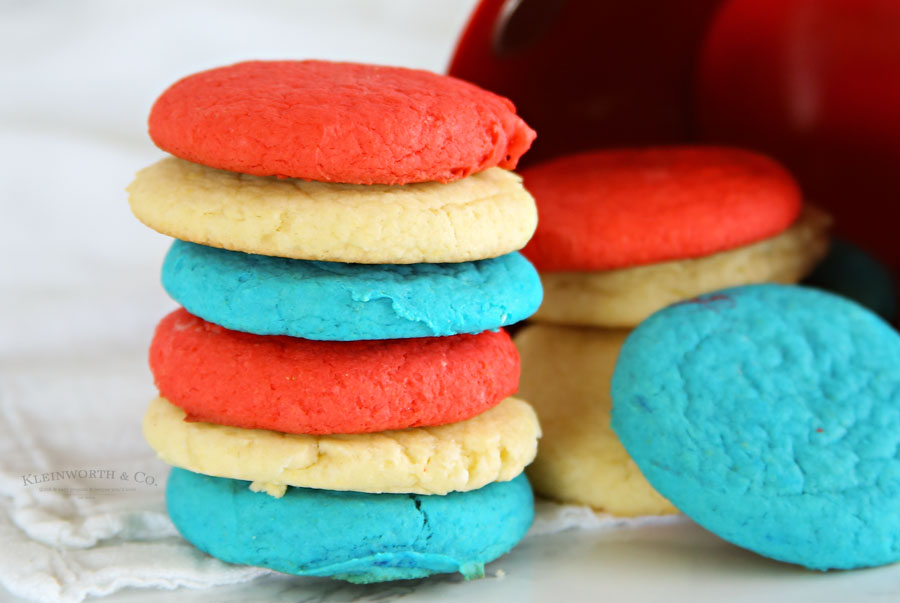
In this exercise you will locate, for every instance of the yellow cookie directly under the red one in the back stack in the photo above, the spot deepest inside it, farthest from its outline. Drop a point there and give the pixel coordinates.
(625, 297)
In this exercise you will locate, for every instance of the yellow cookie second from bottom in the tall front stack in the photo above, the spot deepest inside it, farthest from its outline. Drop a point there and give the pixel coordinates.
(493, 446)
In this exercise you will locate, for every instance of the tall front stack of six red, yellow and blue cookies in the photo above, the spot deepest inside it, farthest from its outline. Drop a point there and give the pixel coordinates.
(335, 393)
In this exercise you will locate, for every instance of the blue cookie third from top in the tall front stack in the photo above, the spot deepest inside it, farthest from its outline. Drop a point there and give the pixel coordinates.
(346, 302)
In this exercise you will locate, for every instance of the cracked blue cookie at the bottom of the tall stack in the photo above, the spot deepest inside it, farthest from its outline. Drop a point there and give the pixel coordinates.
(350, 535)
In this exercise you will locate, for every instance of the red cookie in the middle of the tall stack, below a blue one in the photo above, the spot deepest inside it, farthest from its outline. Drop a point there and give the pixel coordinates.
(297, 385)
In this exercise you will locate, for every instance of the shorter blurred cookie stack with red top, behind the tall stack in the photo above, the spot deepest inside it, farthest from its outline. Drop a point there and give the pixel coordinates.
(624, 233)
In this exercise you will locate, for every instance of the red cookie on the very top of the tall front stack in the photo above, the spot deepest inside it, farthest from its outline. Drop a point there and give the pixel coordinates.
(338, 122)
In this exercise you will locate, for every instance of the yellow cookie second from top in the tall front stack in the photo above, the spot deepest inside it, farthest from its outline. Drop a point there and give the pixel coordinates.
(486, 215)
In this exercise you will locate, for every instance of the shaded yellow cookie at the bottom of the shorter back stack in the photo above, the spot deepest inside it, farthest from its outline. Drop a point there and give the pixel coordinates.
(565, 377)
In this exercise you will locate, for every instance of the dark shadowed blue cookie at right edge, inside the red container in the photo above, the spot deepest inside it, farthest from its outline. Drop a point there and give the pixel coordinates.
(851, 272)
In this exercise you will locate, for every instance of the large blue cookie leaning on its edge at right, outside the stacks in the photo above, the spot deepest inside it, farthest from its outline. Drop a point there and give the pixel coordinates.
(771, 416)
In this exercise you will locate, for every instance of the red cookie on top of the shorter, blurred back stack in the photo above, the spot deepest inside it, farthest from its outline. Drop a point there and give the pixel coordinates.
(604, 210)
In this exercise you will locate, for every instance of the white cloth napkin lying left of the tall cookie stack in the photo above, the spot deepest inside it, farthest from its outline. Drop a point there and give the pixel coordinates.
(67, 536)
